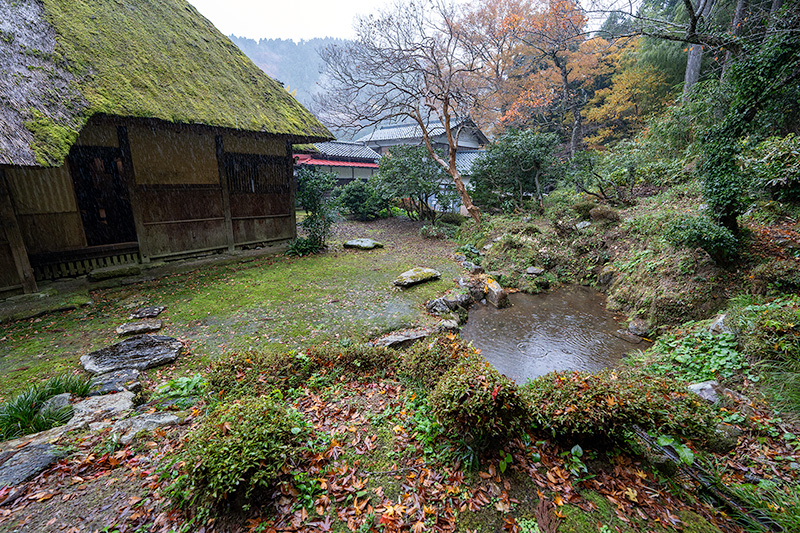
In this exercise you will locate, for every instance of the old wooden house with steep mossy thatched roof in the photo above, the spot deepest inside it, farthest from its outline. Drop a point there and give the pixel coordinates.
(133, 130)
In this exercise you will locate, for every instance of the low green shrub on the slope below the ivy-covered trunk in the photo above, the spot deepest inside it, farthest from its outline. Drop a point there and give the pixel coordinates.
(693, 232)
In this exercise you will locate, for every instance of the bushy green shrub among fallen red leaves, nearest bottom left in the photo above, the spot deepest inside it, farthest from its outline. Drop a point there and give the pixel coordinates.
(236, 452)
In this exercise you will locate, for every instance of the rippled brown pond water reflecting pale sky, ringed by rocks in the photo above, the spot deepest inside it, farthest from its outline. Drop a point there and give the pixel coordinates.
(568, 329)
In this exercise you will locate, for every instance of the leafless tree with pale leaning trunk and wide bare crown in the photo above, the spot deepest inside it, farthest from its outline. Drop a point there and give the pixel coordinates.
(409, 62)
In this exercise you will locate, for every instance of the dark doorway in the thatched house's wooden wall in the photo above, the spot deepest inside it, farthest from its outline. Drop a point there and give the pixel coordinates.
(102, 194)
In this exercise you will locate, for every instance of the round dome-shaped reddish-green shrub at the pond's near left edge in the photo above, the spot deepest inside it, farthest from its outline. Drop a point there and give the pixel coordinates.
(477, 403)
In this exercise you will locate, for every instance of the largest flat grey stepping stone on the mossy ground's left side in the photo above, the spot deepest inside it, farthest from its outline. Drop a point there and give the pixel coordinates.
(139, 352)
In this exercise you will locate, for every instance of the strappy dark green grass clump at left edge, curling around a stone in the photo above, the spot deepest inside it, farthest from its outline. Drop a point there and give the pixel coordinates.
(23, 414)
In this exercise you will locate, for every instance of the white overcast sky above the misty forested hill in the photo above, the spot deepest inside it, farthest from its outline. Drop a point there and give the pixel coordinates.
(284, 19)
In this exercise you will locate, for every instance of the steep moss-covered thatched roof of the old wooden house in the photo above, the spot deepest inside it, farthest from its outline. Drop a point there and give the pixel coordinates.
(64, 61)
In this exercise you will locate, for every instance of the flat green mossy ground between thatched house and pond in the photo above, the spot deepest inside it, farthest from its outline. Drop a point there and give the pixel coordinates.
(273, 302)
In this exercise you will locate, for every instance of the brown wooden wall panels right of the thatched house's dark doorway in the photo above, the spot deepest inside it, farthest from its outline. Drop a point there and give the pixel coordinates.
(179, 195)
